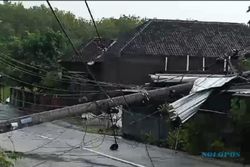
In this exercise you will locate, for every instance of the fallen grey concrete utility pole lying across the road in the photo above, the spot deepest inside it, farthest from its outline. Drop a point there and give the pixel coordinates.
(93, 107)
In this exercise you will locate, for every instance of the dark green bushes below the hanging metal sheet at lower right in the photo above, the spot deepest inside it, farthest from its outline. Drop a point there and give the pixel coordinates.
(203, 132)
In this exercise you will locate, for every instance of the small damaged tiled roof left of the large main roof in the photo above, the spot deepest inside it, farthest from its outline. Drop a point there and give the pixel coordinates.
(91, 51)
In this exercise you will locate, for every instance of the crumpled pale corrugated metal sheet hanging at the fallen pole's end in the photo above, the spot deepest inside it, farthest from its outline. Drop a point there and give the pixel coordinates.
(187, 106)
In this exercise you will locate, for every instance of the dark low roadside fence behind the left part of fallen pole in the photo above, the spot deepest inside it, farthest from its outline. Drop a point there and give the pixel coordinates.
(36, 102)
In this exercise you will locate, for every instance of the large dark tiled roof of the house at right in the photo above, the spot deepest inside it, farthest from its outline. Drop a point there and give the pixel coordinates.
(178, 37)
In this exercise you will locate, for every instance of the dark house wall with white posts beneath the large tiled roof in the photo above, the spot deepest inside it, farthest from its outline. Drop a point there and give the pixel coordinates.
(135, 69)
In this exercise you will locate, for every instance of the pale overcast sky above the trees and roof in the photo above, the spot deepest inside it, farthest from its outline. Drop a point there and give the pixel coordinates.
(225, 11)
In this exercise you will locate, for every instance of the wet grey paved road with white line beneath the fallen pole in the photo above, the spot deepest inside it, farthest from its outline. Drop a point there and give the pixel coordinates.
(57, 144)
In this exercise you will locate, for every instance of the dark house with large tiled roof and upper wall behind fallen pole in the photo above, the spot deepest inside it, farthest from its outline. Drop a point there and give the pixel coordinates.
(164, 46)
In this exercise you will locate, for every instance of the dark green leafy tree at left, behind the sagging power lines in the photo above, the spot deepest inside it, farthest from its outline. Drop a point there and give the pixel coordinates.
(42, 50)
